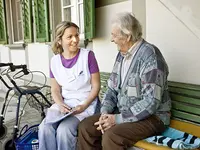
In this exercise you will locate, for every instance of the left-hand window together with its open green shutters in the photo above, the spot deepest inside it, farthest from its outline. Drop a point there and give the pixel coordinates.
(27, 20)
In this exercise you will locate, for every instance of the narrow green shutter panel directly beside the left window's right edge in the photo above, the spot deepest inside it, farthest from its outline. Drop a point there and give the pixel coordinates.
(27, 20)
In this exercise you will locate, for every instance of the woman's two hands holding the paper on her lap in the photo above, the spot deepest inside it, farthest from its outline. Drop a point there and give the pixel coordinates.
(76, 110)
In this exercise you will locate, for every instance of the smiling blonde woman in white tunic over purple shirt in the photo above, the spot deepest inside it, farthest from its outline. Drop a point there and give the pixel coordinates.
(75, 83)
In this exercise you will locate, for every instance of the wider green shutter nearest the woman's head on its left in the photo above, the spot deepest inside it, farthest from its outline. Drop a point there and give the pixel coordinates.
(41, 20)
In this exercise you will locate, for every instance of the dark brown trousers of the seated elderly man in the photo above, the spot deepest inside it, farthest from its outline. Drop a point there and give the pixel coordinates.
(118, 137)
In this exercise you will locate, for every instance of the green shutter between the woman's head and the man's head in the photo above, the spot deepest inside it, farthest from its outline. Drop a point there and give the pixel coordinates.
(89, 20)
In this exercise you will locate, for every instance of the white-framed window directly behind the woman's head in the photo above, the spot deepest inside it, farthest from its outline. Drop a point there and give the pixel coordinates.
(72, 10)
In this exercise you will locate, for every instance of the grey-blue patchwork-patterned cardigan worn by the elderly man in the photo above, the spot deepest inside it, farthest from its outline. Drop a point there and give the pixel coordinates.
(144, 91)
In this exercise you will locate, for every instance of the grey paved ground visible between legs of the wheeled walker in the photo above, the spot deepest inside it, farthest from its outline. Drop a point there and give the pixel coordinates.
(30, 116)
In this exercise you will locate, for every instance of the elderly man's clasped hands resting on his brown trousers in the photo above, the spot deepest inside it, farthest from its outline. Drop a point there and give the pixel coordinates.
(106, 121)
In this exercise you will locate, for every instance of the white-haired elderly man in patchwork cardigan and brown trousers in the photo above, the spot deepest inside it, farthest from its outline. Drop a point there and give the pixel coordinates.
(137, 88)
